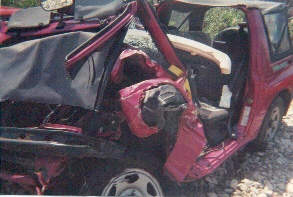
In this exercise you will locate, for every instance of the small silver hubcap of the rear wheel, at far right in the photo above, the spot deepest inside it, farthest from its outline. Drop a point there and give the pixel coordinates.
(273, 124)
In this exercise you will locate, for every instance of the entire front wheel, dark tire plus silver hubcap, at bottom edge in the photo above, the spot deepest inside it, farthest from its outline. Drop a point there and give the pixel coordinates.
(136, 174)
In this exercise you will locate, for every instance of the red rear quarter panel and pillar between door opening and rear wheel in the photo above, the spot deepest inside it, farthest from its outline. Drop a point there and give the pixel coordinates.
(267, 79)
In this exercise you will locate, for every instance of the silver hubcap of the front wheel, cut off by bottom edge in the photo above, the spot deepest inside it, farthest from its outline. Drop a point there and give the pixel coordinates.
(133, 182)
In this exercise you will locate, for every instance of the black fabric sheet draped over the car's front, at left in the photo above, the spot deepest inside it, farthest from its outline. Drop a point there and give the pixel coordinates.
(34, 71)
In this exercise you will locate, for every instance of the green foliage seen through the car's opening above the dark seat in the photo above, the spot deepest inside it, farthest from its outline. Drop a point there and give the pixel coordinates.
(217, 19)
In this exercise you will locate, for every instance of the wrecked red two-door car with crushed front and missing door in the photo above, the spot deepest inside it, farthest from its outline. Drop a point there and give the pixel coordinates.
(86, 112)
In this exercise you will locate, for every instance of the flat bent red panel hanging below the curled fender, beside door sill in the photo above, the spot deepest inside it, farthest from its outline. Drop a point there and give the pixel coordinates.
(190, 143)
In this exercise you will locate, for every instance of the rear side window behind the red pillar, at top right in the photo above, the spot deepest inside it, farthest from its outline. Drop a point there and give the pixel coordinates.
(278, 32)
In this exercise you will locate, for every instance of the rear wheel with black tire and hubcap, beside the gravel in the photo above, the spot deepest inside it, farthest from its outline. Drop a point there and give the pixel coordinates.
(273, 121)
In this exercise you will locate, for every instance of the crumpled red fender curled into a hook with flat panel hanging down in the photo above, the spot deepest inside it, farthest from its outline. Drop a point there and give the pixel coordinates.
(190, 136)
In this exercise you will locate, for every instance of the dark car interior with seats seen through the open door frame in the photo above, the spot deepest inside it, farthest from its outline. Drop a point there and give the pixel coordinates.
(188, 22)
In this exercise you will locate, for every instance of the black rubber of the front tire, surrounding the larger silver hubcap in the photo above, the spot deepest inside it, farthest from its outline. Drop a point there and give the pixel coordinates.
(103, 173)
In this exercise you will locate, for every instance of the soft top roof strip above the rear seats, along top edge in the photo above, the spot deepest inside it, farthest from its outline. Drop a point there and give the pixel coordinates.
(265, 6)
